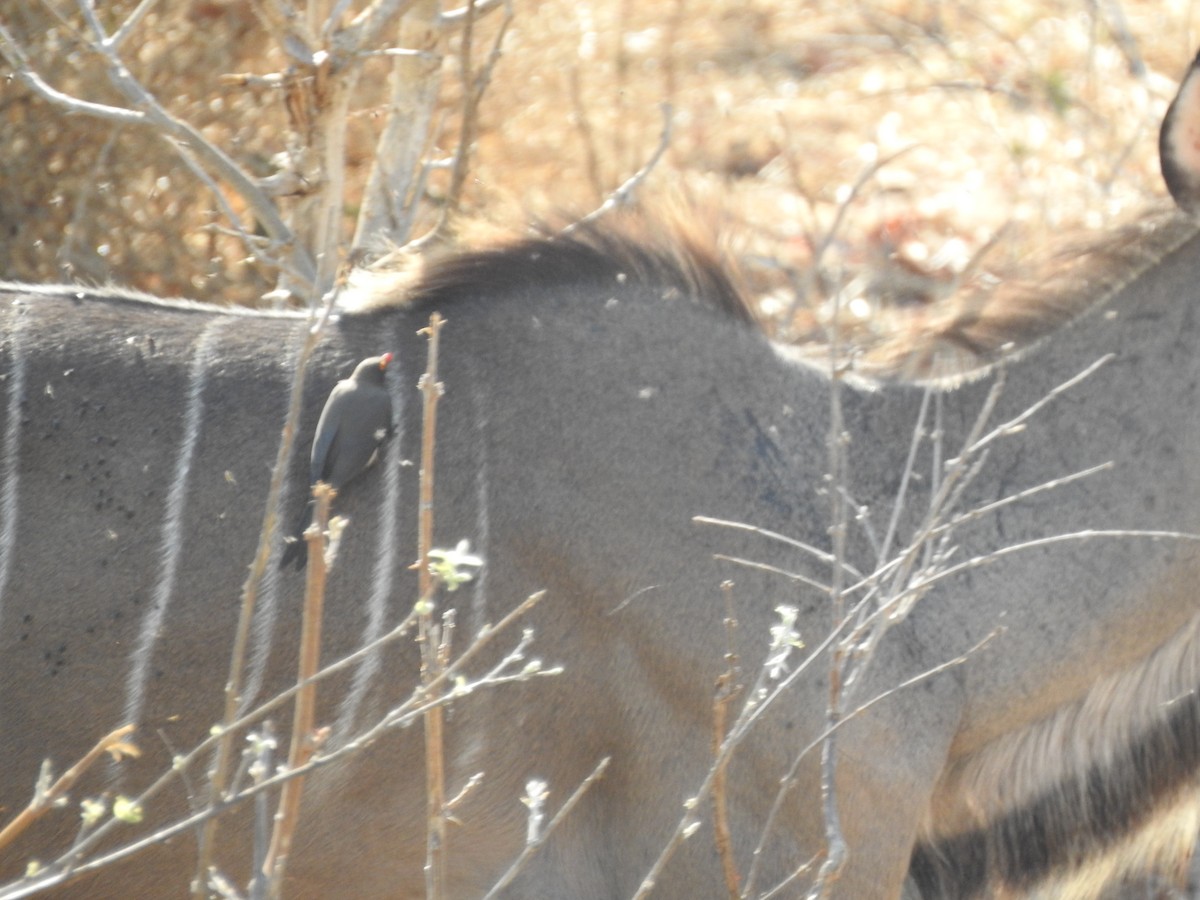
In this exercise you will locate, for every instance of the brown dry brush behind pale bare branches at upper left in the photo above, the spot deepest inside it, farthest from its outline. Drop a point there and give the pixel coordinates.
(85, 200)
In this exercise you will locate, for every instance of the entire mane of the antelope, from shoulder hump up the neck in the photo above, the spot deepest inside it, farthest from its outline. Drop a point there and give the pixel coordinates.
(952, 340)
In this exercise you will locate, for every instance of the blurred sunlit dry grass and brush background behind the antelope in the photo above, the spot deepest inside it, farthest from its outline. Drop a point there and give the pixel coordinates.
(1030, 113)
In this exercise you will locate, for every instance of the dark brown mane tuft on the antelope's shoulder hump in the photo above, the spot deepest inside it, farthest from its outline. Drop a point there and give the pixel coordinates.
(625, 253)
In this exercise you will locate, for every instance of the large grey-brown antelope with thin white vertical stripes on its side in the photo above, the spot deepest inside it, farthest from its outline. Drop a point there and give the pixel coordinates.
(603, 393)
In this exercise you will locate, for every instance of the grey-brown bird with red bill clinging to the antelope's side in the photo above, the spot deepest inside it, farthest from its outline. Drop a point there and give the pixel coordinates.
(353, 425)
